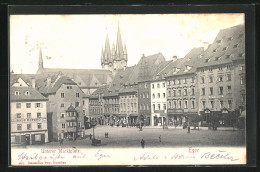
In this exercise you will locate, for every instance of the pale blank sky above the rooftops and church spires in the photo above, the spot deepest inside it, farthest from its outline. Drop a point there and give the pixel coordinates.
(76, 41)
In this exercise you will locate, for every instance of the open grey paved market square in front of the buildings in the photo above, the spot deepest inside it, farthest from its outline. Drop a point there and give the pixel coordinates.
(172, 137)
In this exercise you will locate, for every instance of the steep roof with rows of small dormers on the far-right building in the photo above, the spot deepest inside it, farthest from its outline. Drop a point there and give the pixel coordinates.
(228, 45)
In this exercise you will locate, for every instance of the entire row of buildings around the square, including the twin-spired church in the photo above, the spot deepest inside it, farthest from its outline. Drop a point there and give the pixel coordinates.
(60, 103)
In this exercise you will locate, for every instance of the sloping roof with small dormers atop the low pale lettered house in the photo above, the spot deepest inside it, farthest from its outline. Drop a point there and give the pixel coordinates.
(33, 94)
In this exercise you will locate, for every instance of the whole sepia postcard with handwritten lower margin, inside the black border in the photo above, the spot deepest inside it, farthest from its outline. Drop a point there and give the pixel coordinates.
(127, 89)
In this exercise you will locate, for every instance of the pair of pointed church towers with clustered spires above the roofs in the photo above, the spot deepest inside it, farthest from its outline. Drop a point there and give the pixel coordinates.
(115, 58)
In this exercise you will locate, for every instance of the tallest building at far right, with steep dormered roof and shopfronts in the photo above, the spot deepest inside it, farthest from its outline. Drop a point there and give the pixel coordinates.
(221, 77)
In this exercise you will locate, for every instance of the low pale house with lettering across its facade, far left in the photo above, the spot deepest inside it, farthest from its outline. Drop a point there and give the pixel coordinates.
(28, 114)
